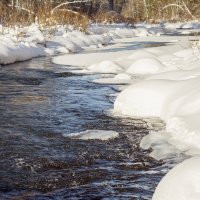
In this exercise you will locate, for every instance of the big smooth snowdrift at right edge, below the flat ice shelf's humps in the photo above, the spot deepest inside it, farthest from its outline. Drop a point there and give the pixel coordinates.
(175, 101)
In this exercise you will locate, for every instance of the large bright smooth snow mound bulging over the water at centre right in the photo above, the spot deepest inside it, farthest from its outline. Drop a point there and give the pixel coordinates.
(144, 99)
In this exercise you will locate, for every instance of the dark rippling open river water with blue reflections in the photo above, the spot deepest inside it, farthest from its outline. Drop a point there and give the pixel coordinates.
(39, 102)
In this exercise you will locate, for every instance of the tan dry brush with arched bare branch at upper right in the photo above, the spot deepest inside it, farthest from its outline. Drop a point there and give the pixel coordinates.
(157, 10)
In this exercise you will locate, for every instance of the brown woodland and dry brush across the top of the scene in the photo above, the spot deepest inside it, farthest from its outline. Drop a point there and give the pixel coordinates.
(80, 12)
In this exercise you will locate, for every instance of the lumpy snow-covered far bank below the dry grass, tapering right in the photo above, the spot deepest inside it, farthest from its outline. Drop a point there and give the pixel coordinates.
(19, 44)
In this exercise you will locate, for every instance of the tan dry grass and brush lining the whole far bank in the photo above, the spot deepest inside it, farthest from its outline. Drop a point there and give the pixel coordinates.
(132, 11)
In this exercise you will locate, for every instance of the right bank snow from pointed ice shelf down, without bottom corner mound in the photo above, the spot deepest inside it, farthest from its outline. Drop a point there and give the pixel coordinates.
(163, 82)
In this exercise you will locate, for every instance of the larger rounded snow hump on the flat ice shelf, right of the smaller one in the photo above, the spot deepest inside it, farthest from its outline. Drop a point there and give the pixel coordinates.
(145, 66)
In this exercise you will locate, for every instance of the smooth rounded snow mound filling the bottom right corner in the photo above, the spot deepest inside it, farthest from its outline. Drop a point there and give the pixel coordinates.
(180, 183)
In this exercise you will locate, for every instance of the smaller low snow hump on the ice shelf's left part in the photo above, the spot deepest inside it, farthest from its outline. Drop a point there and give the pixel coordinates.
(105, 67)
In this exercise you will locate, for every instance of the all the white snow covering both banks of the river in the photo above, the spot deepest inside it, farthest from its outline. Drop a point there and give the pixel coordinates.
(159, 82)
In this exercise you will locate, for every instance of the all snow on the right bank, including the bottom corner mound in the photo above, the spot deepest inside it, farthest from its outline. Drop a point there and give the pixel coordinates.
(161, 82)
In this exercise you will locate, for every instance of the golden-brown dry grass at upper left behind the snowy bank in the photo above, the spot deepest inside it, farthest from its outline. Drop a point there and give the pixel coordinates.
(12, 16)
